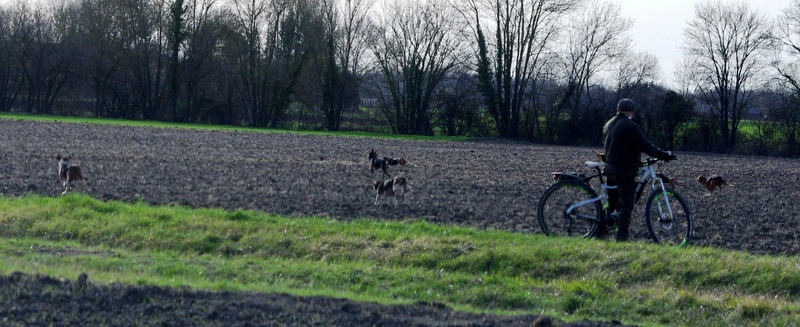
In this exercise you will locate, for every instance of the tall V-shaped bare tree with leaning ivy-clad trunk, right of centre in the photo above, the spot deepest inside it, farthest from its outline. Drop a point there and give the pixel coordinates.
(513, 38)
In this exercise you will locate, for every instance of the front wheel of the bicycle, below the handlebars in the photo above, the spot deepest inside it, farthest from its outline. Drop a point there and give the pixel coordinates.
(669, 220)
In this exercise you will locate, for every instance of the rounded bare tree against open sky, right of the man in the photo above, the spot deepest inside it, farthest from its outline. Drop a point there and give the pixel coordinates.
(726, 43)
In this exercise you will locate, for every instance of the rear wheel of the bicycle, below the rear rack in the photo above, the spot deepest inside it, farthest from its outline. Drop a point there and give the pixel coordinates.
(555, 220)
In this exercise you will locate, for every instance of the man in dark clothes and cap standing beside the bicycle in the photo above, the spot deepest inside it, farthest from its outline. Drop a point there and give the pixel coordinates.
(623, 143)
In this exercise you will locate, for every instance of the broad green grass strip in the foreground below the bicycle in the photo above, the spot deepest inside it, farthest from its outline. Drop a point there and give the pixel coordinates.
(396, 262)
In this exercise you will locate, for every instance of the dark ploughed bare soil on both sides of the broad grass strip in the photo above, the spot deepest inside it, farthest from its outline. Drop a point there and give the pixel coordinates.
(485, 183)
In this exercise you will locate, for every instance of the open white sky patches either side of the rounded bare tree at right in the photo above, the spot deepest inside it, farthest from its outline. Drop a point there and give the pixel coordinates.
(658, 26)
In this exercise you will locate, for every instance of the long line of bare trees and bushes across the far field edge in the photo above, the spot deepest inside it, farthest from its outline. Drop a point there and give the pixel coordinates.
(546, 71)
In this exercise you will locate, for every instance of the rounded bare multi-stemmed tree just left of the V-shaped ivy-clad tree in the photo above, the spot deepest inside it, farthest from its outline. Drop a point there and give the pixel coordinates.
(414, 49)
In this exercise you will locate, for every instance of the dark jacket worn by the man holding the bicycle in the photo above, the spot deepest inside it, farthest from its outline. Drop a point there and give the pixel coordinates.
(623, 143)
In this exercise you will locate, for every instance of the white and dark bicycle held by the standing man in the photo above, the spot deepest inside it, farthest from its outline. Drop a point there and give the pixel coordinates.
(571, 207)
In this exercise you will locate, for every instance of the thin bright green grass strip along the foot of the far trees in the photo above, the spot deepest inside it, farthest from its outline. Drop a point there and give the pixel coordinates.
(158, 124)
